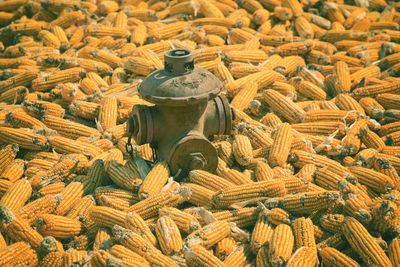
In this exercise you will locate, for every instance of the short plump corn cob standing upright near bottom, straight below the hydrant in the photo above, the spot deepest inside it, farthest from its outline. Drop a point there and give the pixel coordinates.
(168, 235)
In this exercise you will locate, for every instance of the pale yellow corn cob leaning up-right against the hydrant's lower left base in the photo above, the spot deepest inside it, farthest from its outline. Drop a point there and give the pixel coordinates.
(154, 180)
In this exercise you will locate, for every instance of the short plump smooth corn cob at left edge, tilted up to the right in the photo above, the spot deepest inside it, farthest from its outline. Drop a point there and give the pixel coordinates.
(16, 196)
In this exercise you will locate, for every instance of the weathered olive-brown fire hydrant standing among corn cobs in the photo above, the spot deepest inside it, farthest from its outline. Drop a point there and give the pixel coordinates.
(187, 111)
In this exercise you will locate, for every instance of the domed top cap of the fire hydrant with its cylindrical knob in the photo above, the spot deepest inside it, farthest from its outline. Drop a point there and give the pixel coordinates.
(179, 83)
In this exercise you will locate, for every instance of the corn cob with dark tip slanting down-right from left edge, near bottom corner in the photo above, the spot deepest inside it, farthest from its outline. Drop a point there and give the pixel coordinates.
(18, 229)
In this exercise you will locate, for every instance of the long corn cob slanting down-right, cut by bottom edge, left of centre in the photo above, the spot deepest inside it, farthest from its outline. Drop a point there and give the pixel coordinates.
(141, 246)
